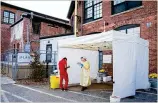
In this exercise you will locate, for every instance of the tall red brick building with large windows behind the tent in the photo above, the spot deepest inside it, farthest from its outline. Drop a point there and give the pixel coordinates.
(135, 17)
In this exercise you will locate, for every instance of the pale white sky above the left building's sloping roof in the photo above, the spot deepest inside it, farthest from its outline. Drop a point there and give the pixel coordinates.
(54, 8)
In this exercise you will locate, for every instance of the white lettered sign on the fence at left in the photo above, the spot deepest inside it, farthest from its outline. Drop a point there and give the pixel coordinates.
(24, 58)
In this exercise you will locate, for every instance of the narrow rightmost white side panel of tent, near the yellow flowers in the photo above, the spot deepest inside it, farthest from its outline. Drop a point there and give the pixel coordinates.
(142, 66)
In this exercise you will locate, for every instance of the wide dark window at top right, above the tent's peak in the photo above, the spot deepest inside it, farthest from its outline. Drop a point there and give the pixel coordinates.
(123, 5)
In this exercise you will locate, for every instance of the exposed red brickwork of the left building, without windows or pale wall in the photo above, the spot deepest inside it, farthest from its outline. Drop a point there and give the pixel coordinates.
(45, 31)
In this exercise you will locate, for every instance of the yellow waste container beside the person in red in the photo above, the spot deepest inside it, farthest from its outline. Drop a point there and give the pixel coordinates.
(54, 82)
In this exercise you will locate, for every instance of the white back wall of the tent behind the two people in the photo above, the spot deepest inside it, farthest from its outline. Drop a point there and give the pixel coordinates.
(73, 56)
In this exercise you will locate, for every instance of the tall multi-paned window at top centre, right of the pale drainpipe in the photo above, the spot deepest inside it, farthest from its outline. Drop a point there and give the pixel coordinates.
(92, 10)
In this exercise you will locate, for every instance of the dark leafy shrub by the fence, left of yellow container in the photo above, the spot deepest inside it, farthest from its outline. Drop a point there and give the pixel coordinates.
(38, 72)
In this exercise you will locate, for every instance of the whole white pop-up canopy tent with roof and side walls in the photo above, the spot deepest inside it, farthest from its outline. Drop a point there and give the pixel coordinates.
(130, 59)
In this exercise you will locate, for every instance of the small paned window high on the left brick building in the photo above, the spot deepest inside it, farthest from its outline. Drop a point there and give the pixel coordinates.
(8, 17)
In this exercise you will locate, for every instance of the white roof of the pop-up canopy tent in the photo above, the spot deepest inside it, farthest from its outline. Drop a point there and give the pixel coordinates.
(99, 41)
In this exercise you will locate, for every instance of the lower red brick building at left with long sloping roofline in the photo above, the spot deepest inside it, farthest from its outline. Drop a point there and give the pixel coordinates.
(16, 22)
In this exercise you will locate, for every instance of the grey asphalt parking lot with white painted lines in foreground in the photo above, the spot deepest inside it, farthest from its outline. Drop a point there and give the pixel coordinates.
(20, 93)
